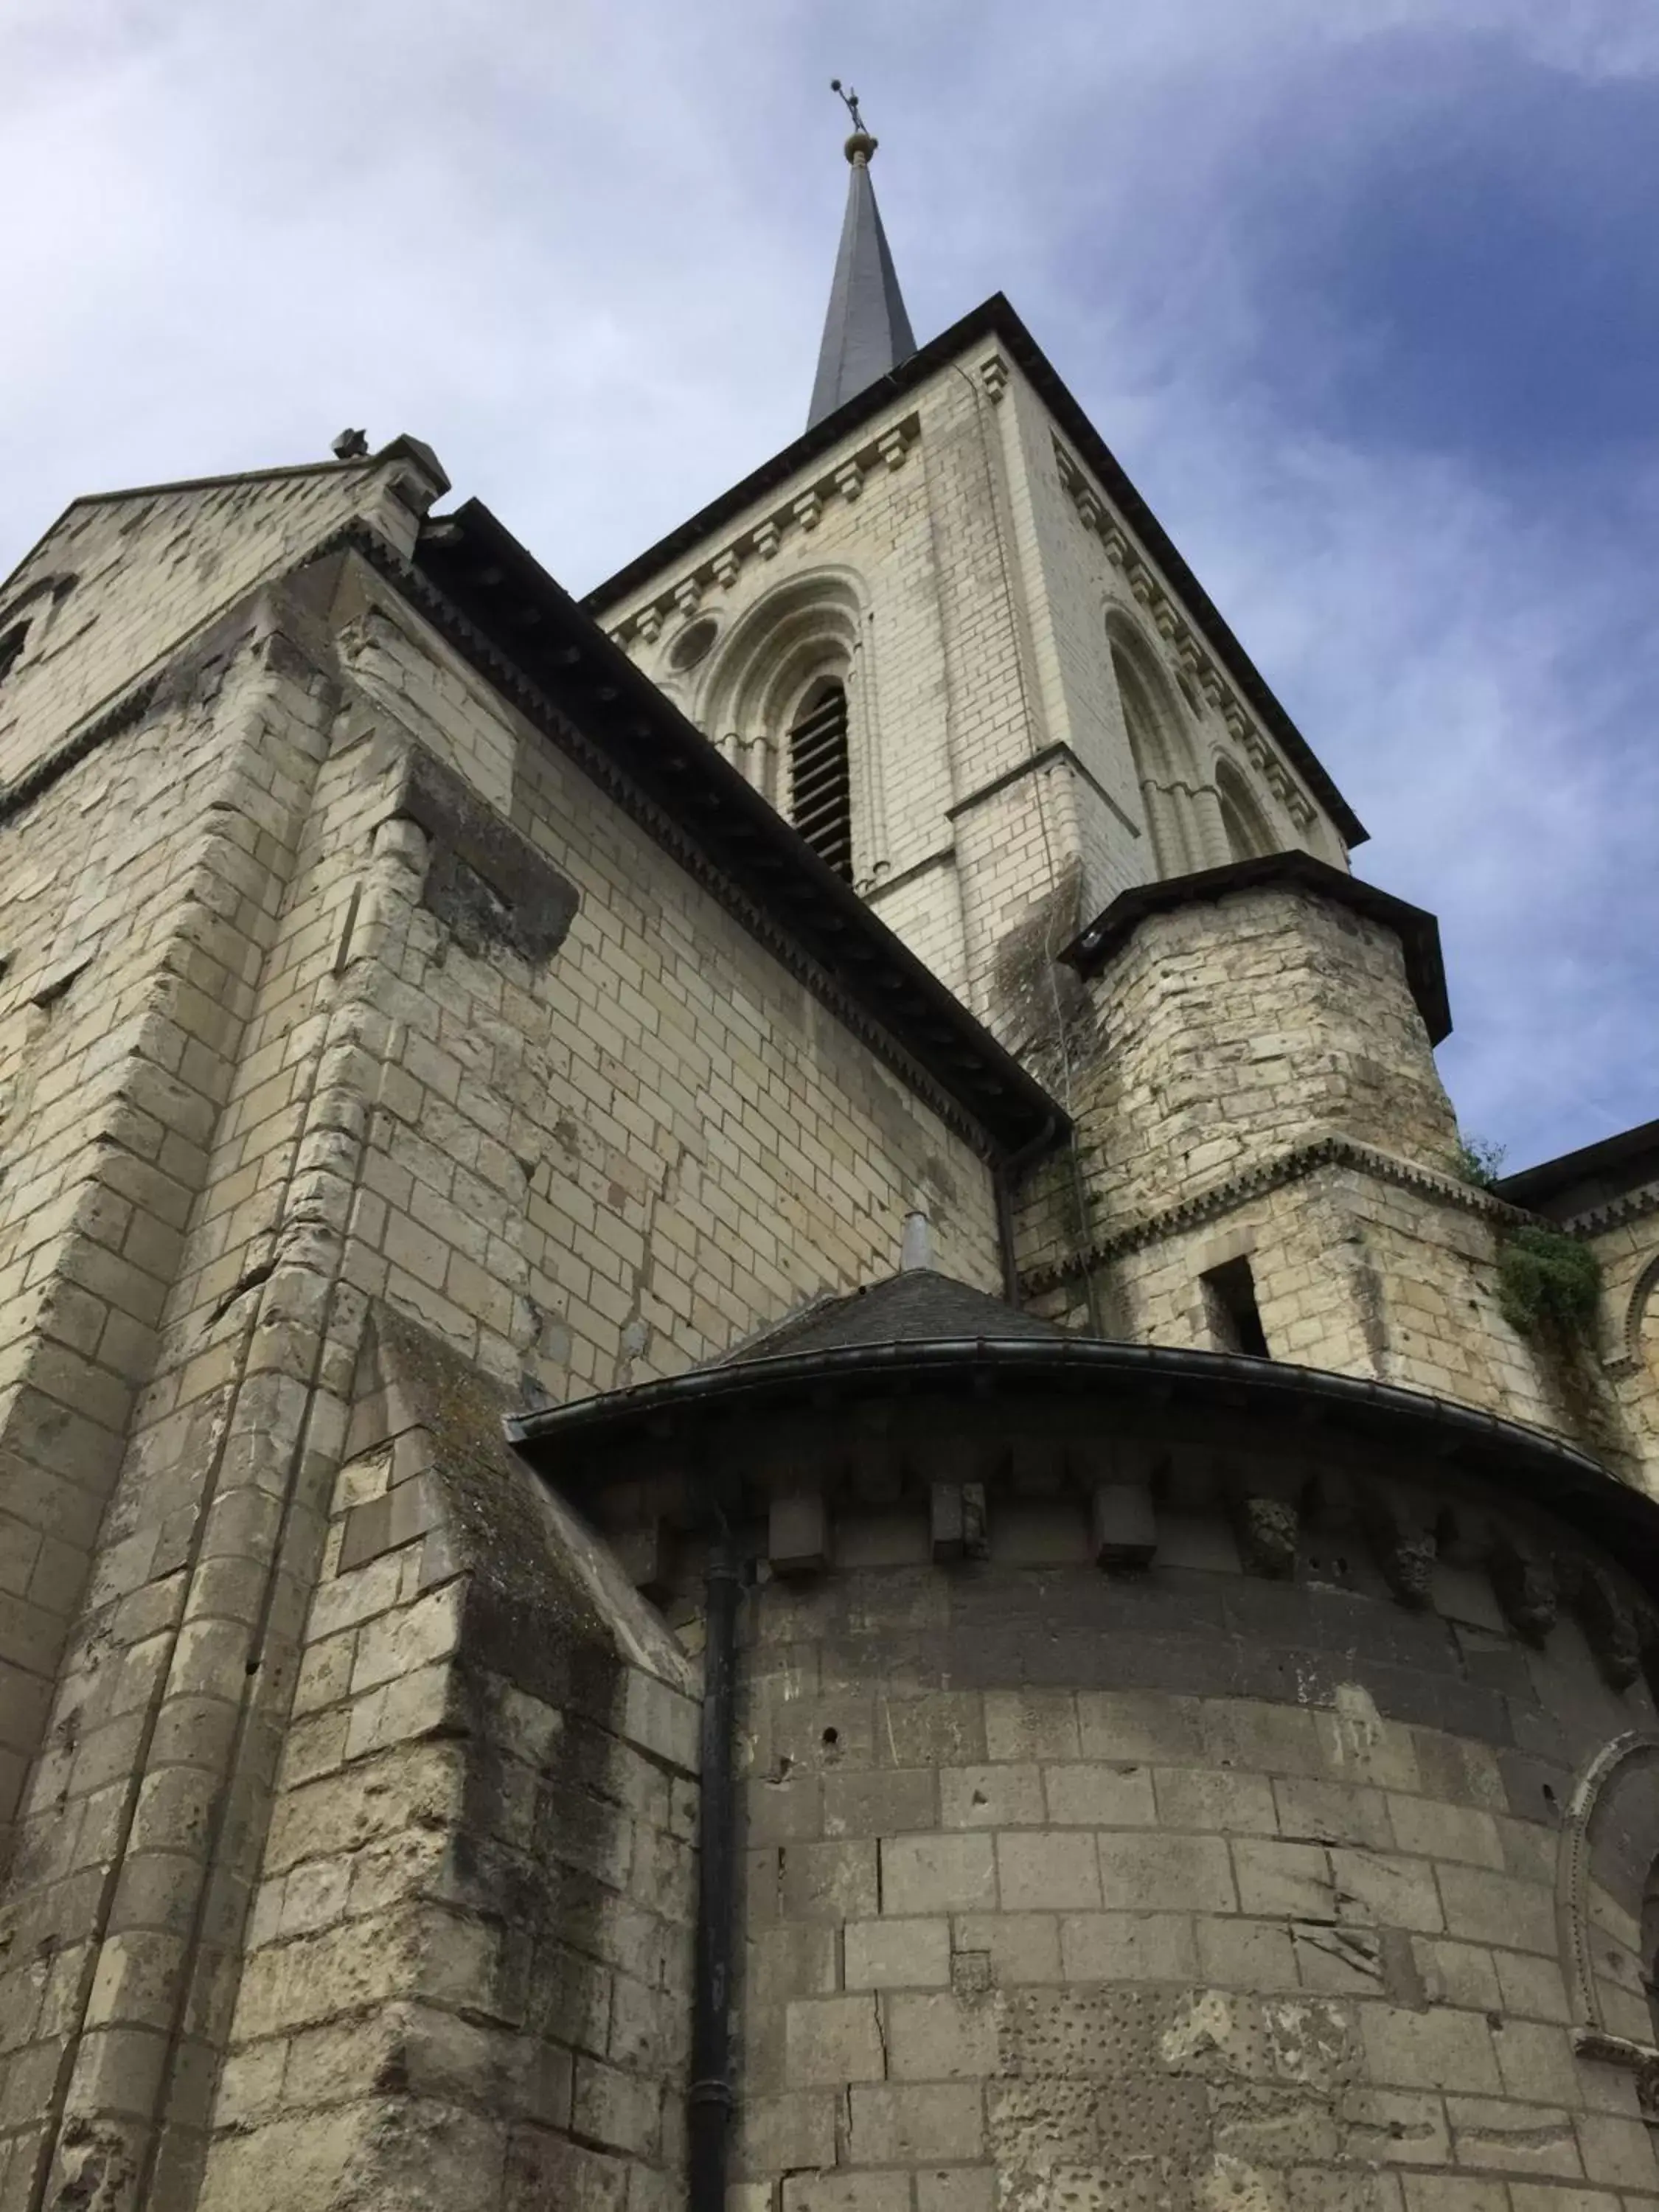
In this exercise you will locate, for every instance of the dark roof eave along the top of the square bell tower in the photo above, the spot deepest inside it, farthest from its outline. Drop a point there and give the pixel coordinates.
(997, 317)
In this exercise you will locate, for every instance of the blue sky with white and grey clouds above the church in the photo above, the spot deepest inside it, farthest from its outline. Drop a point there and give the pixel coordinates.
(1361, 293)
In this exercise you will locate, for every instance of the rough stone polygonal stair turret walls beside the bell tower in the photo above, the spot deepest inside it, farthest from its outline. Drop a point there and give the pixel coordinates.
(1253, 1083)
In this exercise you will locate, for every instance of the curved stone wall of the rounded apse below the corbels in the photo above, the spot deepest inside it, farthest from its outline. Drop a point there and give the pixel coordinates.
(1182, 1890)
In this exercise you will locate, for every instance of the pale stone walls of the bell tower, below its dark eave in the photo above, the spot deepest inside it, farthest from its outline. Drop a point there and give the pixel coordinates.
(961, 572)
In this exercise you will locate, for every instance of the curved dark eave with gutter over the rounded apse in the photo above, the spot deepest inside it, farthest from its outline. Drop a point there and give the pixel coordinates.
(1563, 1477)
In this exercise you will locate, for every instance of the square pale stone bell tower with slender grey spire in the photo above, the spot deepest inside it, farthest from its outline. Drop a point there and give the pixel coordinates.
(946, 636)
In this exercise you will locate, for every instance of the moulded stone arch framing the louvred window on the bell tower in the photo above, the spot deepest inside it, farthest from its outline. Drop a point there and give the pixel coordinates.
(804, 634)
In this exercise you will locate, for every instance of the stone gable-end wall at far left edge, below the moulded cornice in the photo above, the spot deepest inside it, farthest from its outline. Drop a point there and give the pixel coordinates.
(140, 897)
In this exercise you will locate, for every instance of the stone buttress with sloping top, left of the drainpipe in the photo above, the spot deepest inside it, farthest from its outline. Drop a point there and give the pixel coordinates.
(470, 1948)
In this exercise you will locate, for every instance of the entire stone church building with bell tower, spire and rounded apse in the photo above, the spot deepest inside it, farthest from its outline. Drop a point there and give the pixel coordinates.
(762, 1446)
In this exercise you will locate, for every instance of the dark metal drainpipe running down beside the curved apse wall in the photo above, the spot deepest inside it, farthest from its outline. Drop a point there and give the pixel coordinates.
(711, 2089)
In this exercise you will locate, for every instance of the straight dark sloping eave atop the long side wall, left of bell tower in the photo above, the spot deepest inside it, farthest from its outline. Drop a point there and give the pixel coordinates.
(486, 589)
